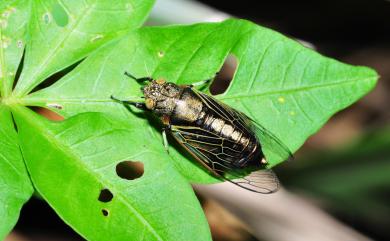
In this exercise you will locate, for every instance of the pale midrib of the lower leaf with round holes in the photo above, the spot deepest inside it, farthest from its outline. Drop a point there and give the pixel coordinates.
(68, 152)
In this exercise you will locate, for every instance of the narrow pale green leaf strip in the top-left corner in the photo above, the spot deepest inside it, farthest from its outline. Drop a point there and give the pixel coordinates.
(13, 19)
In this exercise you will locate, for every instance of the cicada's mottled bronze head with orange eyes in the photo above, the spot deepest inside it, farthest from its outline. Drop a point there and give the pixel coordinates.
(161, 96)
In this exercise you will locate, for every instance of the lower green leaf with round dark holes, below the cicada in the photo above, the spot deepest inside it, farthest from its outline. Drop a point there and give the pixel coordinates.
(79, 160)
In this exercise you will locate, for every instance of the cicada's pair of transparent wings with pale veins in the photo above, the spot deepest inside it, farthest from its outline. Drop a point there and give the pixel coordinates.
(217, 155)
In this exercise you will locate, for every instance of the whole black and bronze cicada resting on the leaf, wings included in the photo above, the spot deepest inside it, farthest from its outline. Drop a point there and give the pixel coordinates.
(225, 141)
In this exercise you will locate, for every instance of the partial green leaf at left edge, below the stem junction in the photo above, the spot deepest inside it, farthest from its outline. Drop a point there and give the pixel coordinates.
(15, 184)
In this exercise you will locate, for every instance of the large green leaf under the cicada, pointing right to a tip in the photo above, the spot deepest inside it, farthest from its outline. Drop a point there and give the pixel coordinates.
(289, 89)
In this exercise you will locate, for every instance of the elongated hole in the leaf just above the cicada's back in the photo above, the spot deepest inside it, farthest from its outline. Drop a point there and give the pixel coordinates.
(225, 76)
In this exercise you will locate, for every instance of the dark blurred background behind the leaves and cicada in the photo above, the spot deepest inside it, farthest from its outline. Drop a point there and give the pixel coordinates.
(338, 188)
